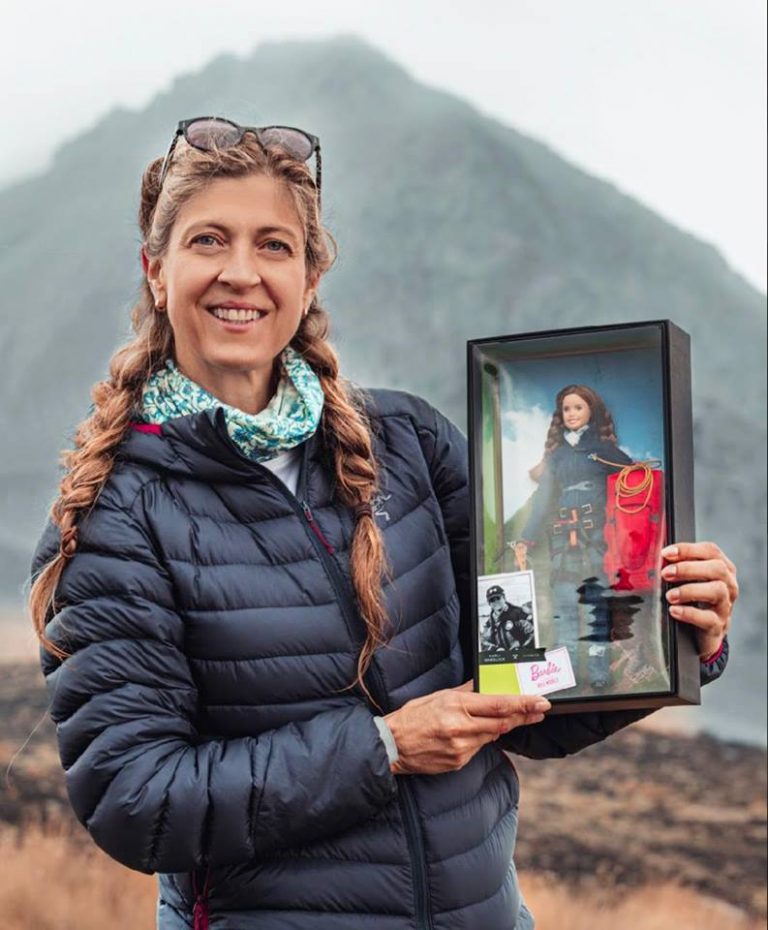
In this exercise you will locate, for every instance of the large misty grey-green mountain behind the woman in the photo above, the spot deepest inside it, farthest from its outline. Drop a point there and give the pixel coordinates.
(450, 226)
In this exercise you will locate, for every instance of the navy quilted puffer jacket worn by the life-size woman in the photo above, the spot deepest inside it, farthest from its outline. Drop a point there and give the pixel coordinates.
(205, 719)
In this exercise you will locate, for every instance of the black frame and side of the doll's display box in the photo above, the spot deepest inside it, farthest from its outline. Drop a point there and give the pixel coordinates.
(684, 662)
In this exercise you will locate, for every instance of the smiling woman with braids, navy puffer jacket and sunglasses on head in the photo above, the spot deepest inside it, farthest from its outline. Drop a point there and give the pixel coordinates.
(260, 630)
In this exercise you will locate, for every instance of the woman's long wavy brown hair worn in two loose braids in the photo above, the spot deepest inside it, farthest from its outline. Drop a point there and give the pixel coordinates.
(344, 425)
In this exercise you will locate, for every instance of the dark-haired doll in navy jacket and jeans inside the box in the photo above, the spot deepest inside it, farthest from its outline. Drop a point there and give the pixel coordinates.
(568, 511)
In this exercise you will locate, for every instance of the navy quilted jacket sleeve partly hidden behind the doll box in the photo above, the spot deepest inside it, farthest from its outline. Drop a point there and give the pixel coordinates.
(555, 736)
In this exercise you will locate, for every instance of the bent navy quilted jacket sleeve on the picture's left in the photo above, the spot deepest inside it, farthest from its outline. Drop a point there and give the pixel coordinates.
(150, 790)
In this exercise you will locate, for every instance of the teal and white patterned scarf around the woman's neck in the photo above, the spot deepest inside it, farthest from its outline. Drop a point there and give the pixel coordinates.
(291, 416)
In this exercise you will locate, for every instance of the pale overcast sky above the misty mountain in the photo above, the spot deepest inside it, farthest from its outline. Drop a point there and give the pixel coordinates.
(665, 98)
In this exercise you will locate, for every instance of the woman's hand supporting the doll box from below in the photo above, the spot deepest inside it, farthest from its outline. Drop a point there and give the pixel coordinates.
(440, 732)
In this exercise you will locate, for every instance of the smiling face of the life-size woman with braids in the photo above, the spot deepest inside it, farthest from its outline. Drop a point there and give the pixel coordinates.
(234, 284)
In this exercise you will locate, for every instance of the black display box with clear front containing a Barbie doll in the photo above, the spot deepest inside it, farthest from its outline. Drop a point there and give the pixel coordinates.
(581, 463)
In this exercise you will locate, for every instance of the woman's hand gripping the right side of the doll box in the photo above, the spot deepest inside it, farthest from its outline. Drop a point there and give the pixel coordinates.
(705, 590)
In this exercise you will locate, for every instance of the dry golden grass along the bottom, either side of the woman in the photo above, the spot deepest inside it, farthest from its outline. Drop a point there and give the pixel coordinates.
(51, 882)
